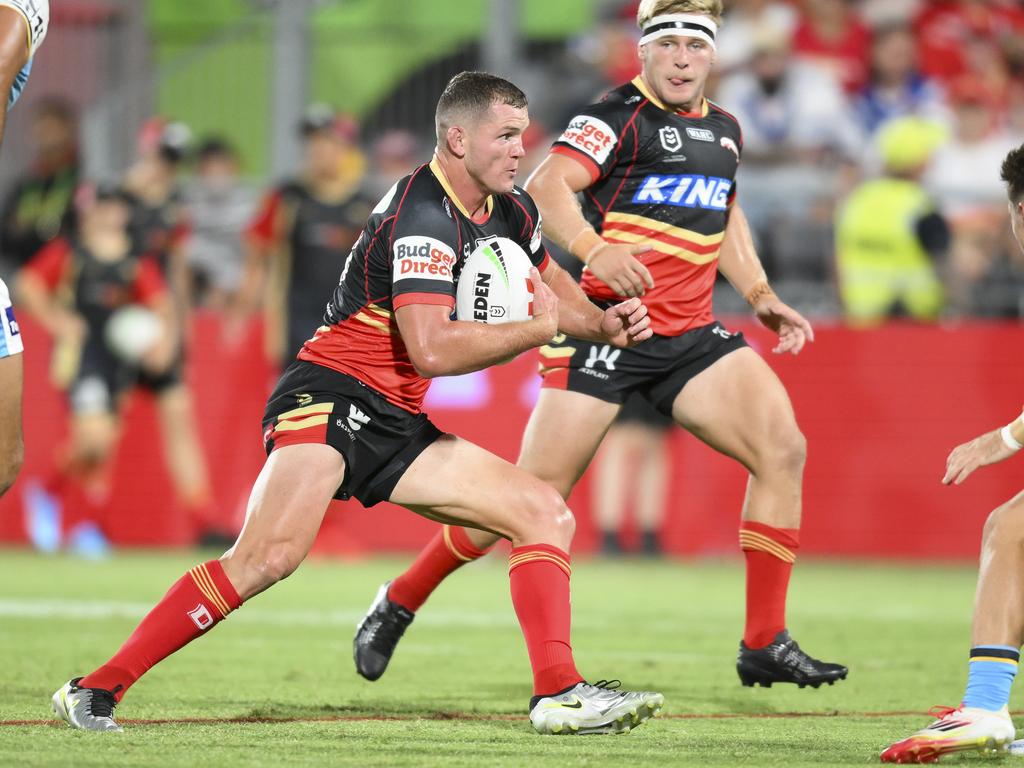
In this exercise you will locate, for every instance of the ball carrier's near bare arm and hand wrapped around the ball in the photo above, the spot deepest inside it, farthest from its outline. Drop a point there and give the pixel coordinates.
(441, 347)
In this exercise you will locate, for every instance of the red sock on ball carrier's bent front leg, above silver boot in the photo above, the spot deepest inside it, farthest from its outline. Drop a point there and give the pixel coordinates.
(540, 580)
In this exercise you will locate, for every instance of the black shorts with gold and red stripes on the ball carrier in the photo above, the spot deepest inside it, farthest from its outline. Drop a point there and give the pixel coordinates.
(379, 441)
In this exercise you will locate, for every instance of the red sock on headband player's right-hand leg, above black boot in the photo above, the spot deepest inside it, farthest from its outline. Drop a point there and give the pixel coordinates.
(771, 553)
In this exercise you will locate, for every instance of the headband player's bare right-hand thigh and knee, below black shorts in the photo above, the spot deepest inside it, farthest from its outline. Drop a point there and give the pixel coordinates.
(740, 408)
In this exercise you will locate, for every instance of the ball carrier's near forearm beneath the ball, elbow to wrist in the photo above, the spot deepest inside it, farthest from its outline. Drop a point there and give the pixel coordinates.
(464, 348)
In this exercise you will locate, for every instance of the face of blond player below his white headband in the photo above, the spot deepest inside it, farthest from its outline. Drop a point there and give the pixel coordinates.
(676, 68)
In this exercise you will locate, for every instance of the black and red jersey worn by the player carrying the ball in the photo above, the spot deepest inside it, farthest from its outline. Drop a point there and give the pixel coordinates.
(410, 252)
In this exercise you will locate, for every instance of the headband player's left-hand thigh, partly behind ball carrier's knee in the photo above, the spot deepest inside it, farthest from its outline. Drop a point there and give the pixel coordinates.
(563, 435)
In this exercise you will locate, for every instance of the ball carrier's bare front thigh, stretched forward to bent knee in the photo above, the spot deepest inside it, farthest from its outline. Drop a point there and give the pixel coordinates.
(456, 482)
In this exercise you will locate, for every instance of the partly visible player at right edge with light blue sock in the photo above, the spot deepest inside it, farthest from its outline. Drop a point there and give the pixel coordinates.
(983, 721)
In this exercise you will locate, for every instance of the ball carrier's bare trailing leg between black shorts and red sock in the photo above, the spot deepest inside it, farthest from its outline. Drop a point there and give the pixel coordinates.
(286, 508)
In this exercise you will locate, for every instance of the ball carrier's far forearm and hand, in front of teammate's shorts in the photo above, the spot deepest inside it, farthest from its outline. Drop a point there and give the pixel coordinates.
(623, 325)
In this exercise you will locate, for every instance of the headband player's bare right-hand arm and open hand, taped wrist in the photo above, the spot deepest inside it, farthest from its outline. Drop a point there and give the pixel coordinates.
(740, 264)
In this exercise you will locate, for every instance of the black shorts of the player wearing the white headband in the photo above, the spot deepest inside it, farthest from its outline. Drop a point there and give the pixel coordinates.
(657, 369)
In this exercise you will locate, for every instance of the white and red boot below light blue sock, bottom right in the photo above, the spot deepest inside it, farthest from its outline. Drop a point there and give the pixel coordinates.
(963, 730)
